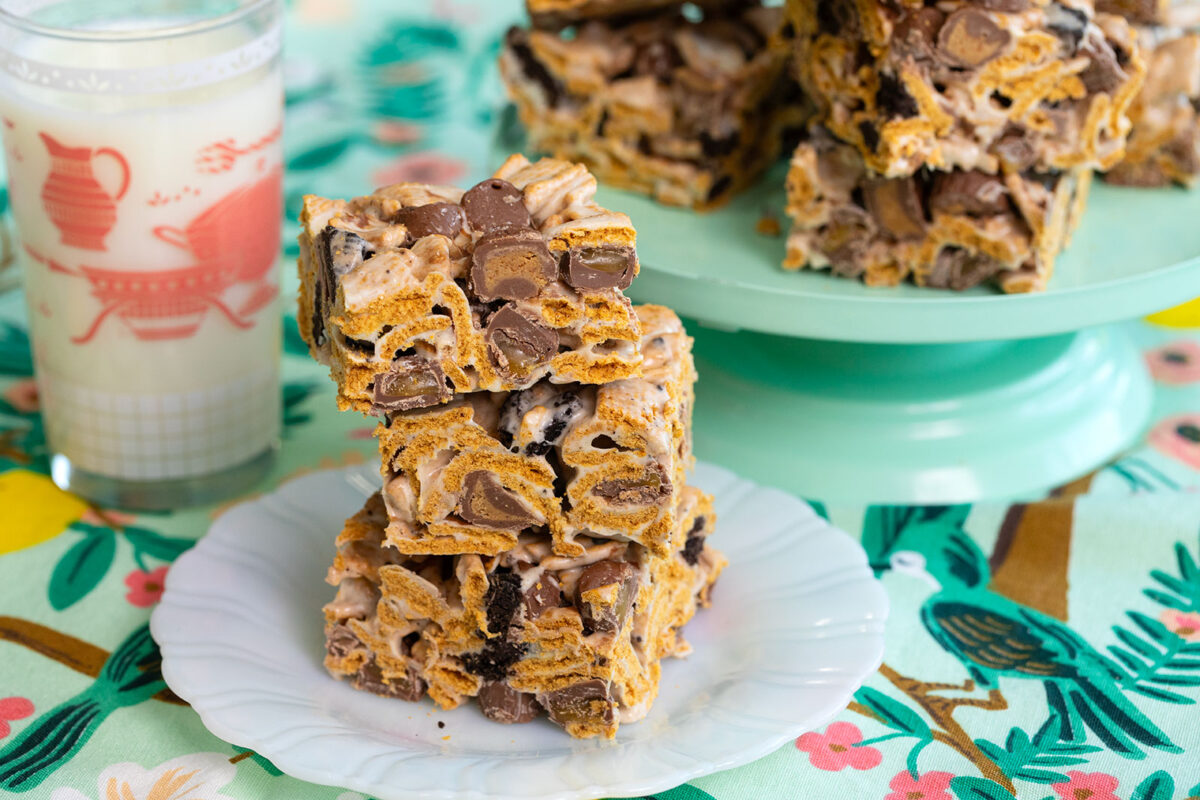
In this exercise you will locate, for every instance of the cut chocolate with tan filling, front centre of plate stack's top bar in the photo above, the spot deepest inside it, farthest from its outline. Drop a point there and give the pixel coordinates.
(511, 266)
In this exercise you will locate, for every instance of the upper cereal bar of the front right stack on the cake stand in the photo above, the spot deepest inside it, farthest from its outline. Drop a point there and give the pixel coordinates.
(1019, 85)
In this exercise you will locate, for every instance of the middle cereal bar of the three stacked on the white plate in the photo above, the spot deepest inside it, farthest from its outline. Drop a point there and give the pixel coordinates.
(609, 461)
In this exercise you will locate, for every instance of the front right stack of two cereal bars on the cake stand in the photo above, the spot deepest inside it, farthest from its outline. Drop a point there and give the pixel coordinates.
(955, 141)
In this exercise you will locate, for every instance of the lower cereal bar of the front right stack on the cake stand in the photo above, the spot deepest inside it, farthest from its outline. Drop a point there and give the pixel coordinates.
(945, 230)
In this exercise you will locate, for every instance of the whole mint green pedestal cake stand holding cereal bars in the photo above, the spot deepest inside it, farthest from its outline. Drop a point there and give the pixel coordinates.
(836, 392)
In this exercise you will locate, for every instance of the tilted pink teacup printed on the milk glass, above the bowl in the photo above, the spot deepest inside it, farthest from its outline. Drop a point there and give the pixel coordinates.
(239, 233)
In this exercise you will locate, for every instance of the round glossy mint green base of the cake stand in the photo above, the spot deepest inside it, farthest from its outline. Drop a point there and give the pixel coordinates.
(932, 424)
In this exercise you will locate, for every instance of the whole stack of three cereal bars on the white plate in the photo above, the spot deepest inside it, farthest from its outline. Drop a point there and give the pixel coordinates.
(536, 545)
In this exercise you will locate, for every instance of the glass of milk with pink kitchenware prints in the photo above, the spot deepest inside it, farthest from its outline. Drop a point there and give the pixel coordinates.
(142, 141)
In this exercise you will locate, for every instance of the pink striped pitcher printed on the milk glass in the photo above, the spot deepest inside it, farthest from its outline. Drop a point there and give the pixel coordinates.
(79, 206)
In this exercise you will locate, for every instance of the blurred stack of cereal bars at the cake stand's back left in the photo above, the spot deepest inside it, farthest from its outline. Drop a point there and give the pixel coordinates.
(688, 105)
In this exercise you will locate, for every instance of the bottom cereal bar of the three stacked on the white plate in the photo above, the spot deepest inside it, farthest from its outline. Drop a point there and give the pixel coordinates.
(524, 633)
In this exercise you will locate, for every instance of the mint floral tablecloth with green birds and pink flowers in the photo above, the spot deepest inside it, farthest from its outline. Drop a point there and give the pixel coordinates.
(1052, 651)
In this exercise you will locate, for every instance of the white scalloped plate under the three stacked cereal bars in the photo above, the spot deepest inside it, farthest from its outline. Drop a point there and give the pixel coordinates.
(796, 627)
